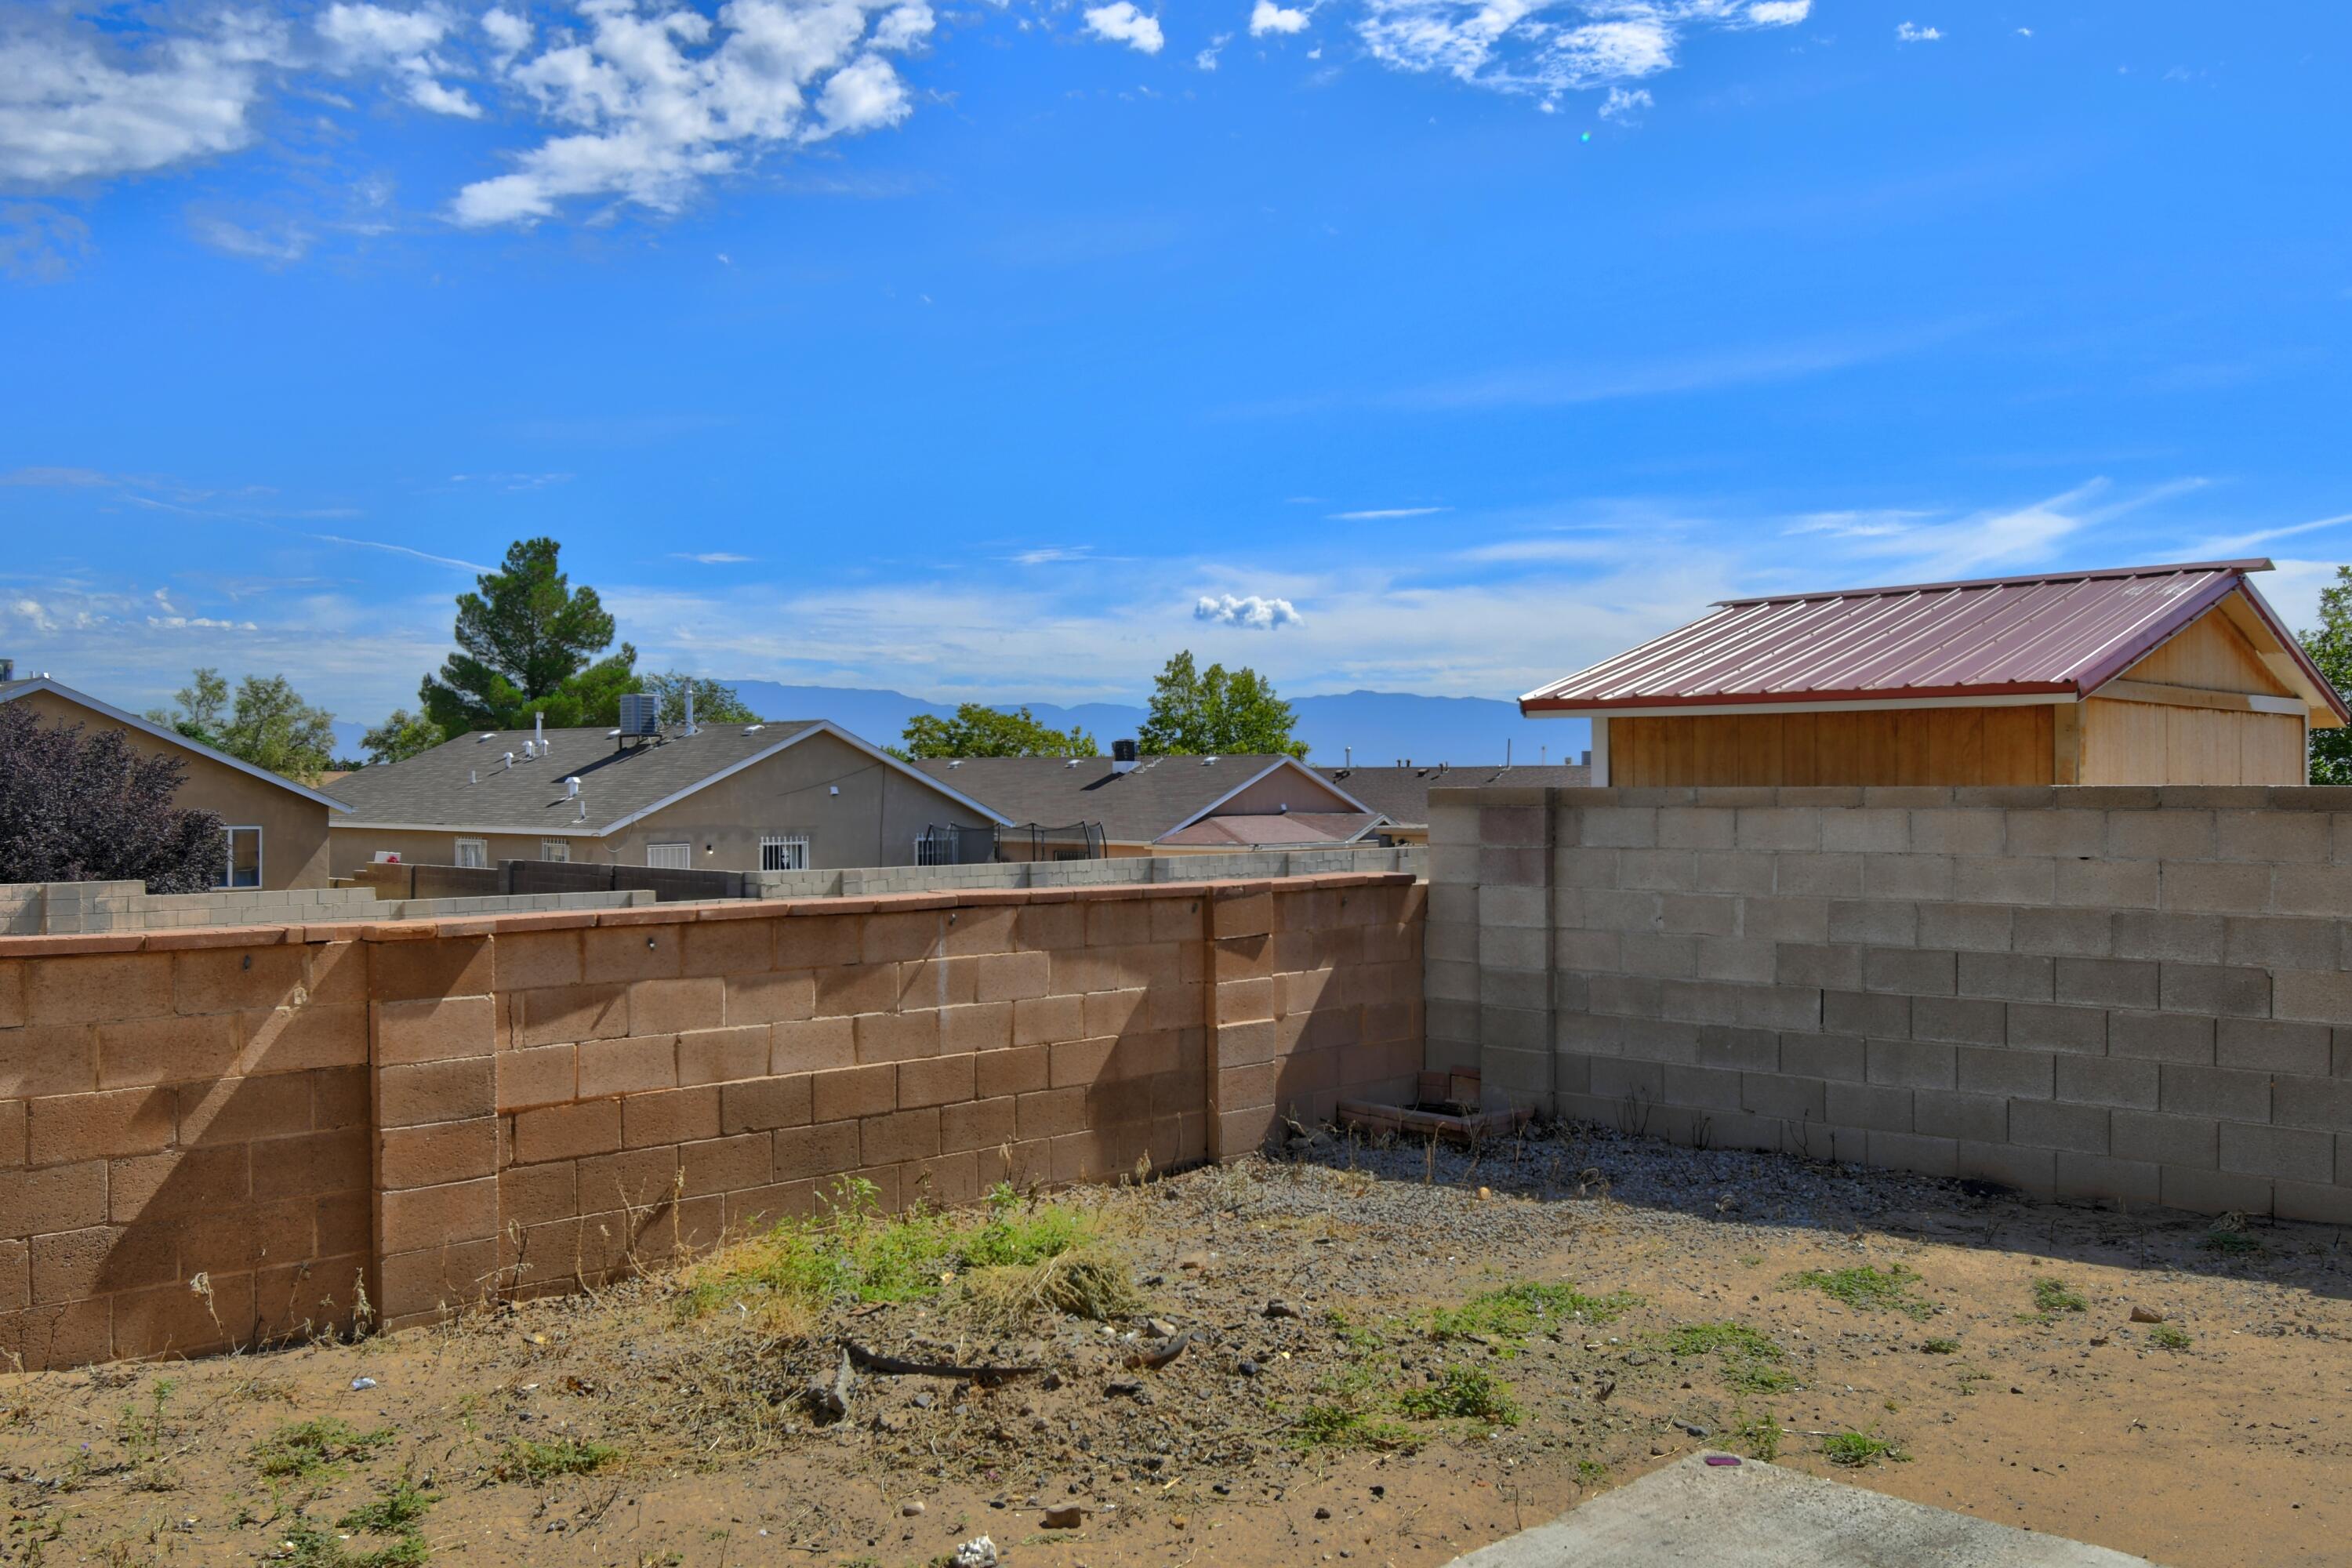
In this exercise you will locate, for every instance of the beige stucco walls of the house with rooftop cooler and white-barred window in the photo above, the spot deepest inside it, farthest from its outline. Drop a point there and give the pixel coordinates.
(874, 819)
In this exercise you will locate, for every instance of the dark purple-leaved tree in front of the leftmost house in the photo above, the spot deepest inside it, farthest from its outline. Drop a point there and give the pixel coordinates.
(91, 810)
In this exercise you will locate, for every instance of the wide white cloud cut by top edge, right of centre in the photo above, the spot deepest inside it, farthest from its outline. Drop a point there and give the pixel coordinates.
(1546, 48)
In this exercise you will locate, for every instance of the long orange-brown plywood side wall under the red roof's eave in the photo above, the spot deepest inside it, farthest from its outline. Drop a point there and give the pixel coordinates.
(1906, 746)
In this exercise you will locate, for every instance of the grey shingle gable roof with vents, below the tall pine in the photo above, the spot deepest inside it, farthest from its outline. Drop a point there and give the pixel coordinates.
(469, 784)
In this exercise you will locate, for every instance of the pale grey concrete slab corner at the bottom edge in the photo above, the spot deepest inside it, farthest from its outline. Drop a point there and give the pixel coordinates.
(1765, 1517)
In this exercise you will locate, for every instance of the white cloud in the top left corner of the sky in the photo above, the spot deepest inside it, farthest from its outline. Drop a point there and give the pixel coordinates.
(74, 109)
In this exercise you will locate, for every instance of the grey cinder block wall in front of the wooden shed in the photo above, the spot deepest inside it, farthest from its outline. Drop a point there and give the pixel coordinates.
(2125, 993)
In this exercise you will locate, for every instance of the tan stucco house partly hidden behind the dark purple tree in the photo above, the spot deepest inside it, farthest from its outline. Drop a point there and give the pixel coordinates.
(276, 831)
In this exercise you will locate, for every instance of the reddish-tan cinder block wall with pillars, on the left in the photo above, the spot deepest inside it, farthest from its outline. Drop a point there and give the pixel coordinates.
(448, 1111)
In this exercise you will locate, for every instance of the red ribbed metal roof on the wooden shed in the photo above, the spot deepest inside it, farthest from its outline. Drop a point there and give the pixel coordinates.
(2054, 634)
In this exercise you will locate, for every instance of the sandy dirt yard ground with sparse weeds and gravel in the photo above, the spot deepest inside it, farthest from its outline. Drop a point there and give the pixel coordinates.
(1283, 1430)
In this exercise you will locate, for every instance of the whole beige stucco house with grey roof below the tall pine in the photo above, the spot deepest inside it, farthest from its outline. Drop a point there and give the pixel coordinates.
(740, 798)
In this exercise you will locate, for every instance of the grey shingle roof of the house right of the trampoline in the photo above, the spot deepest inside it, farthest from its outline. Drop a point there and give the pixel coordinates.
(1156, 798)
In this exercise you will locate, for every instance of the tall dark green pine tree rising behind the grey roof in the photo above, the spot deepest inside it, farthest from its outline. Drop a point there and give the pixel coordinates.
(526, 645)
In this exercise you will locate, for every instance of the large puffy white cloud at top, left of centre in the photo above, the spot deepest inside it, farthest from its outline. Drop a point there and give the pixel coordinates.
(653, 107)
